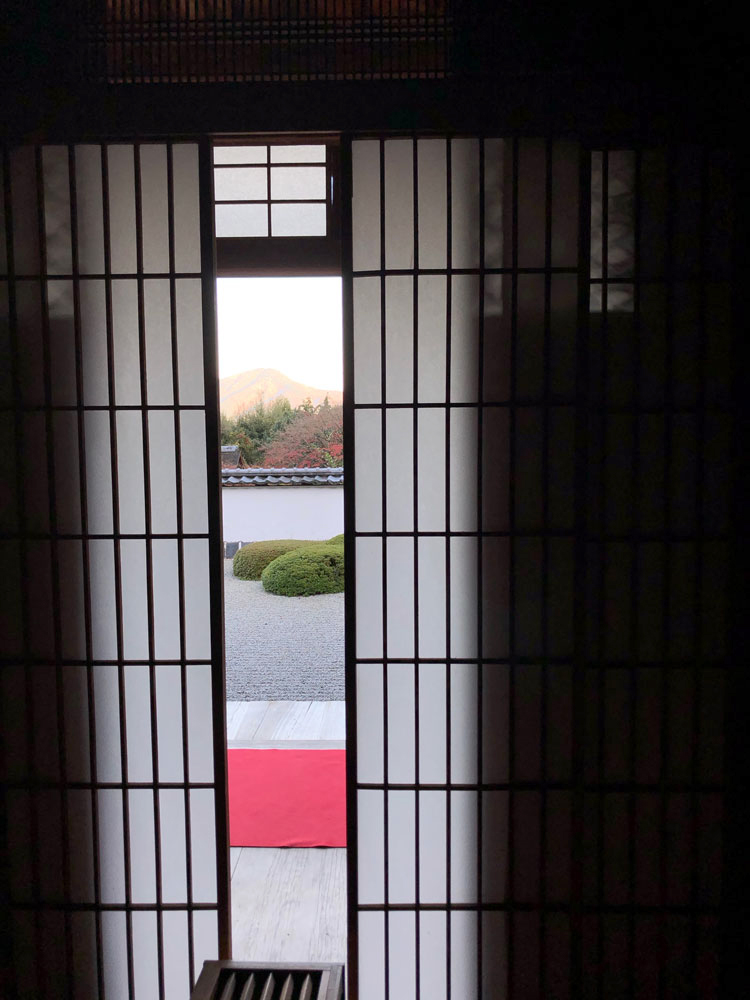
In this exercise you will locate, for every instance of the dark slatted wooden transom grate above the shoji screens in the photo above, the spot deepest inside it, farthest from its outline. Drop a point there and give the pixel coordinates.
(139, 41)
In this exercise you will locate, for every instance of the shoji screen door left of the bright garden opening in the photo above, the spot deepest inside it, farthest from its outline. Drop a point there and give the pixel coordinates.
(111, 652)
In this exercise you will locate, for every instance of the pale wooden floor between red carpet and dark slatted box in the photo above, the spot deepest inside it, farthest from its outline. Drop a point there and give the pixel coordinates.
(289, 905)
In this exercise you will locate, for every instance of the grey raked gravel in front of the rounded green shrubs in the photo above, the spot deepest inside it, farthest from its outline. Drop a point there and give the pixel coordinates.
(282, 648)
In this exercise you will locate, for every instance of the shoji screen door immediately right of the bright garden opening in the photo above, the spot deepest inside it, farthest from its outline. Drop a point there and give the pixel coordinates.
(465, 263)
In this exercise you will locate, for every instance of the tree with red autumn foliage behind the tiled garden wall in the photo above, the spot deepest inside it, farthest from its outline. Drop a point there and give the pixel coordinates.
(314, 440)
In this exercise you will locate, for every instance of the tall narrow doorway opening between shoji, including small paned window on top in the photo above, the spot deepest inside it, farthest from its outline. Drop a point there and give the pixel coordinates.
(281, 400)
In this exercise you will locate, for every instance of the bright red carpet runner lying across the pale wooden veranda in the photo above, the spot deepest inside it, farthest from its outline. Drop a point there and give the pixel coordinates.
(287, 798)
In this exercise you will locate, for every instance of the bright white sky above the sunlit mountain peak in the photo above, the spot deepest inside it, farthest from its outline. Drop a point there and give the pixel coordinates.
(292, 324)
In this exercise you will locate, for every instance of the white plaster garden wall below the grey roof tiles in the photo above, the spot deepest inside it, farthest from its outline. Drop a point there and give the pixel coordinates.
(257, 513)
